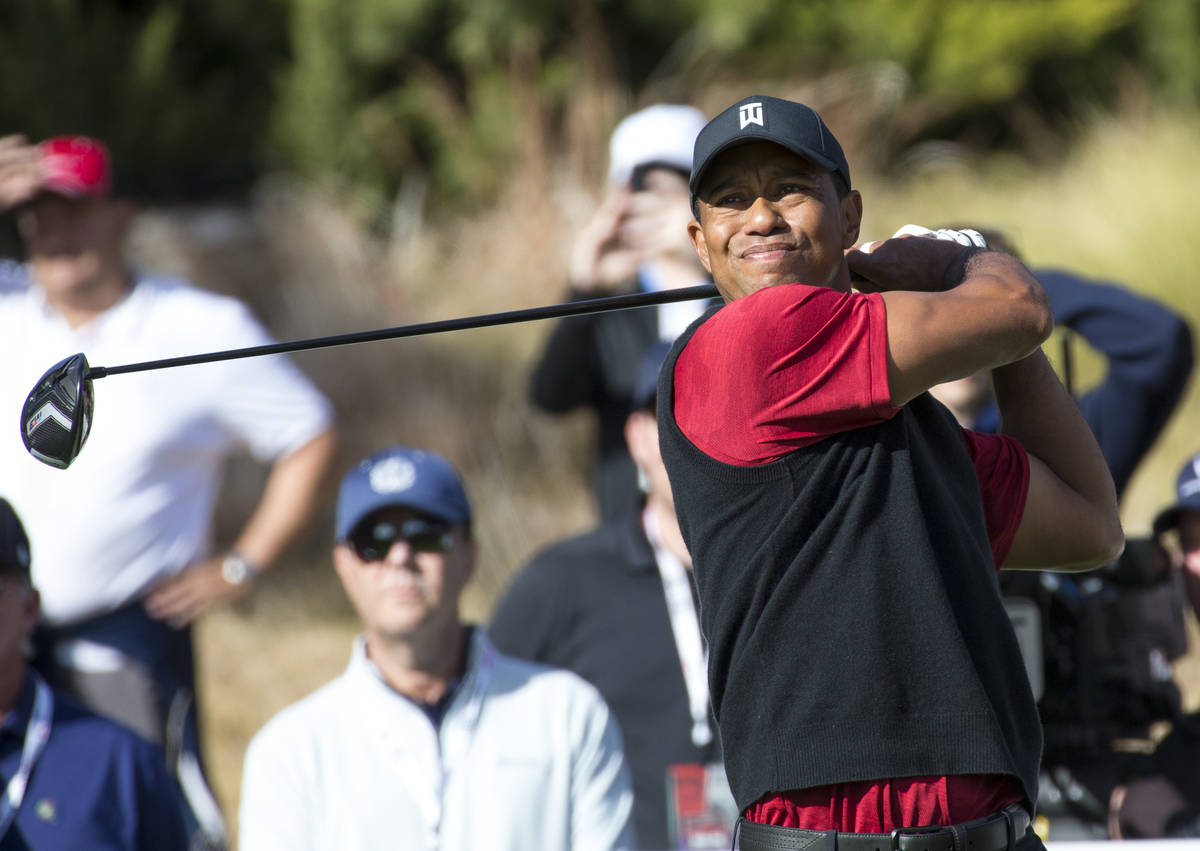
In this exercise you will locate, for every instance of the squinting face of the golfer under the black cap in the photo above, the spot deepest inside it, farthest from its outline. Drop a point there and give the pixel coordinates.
(769, 217)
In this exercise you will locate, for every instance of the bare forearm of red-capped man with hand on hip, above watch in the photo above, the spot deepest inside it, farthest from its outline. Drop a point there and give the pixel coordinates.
(290, 499)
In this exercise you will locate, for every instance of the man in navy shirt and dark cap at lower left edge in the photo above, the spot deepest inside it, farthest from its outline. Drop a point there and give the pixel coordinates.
(74, 780)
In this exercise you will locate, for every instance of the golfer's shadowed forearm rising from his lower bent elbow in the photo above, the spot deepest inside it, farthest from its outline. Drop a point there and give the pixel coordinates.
(1036, 410)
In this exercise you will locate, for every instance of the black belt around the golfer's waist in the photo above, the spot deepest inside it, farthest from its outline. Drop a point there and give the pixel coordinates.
(999, 832)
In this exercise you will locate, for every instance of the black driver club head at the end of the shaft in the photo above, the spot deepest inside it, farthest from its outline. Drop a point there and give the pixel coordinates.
(57, 416)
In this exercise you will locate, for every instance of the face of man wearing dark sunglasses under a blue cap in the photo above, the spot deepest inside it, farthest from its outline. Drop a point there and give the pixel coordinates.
(405, 572)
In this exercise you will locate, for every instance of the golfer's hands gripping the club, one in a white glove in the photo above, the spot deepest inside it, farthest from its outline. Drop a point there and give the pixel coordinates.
(915, 259)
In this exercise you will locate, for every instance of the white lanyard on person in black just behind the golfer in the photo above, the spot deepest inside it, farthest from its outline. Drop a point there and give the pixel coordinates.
(686, 626)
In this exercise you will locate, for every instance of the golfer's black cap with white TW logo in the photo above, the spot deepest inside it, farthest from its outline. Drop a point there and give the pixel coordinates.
(761, 118)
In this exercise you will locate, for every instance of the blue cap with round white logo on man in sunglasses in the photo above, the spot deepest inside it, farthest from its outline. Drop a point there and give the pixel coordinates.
(401, 477)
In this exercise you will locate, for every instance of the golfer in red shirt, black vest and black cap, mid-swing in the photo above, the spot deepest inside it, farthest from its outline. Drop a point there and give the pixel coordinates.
(845, 530)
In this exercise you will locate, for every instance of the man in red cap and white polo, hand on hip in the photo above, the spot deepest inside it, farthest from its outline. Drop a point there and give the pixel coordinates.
(123, 538)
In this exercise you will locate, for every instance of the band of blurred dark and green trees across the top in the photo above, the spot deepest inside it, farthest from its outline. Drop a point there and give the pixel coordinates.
(455, 93)
